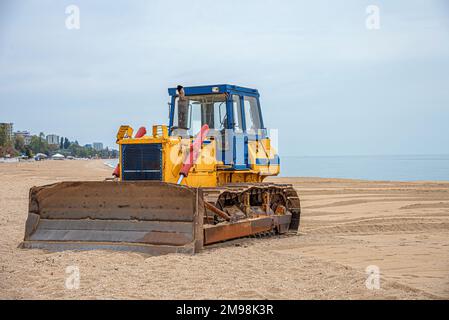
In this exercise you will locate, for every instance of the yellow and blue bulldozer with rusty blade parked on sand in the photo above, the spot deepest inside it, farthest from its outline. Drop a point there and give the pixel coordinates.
(179, 188)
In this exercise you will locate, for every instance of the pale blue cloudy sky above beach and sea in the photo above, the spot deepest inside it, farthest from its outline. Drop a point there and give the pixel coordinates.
(329, 84)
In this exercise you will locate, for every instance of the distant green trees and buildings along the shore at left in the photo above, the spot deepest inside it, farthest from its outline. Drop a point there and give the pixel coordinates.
(38, 144)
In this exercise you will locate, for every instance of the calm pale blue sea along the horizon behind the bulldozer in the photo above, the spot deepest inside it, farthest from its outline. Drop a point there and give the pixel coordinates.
(380, 167)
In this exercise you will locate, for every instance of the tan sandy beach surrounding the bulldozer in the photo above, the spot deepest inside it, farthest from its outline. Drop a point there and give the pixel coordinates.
(402, 228)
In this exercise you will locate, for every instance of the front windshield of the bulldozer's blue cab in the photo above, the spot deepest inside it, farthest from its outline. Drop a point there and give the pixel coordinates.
(192, 112)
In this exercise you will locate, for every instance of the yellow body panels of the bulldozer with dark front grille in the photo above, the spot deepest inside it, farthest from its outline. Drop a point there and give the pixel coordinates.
(207, 170)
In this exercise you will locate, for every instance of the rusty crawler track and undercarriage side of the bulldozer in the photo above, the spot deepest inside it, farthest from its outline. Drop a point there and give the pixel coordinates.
(245, 201)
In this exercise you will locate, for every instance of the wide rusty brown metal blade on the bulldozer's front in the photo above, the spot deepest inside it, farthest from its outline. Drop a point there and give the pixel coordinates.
(144, 216)
